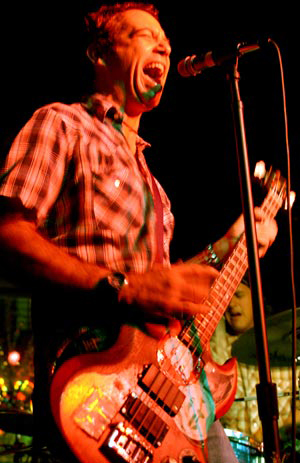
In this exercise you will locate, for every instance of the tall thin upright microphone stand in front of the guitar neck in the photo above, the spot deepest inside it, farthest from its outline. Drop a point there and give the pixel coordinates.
(266, 390)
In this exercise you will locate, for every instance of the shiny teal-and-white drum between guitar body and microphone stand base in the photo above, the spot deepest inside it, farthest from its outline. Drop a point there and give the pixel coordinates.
(246, 449)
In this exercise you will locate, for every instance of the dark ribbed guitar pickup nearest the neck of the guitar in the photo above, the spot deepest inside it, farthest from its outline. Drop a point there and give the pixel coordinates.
(162, 390)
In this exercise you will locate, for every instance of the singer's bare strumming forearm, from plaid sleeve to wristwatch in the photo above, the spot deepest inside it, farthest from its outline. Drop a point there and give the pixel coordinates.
(29, 253)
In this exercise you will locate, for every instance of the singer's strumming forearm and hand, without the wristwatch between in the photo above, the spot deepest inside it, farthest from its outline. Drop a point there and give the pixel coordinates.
(160, 293)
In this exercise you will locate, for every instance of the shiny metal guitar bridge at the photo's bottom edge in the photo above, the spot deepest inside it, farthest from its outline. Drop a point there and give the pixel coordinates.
(123, 445)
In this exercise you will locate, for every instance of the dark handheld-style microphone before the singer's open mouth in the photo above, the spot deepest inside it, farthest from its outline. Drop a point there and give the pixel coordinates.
(193, 65)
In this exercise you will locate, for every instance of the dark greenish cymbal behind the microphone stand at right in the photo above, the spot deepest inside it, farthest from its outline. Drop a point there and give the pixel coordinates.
(279, 335)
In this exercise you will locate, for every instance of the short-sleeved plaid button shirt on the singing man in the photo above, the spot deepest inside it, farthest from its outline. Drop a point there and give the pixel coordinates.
(92, 196)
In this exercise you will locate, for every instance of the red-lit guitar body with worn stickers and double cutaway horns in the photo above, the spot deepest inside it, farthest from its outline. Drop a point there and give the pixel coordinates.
(123, 404)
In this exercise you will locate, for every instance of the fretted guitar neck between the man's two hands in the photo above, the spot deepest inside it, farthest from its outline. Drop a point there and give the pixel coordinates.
(228, 280)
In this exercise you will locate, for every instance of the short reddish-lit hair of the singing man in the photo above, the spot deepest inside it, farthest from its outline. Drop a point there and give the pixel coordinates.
(103, 24)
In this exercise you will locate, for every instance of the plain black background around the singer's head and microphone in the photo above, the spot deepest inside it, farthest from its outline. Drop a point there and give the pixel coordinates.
(193, 148)
